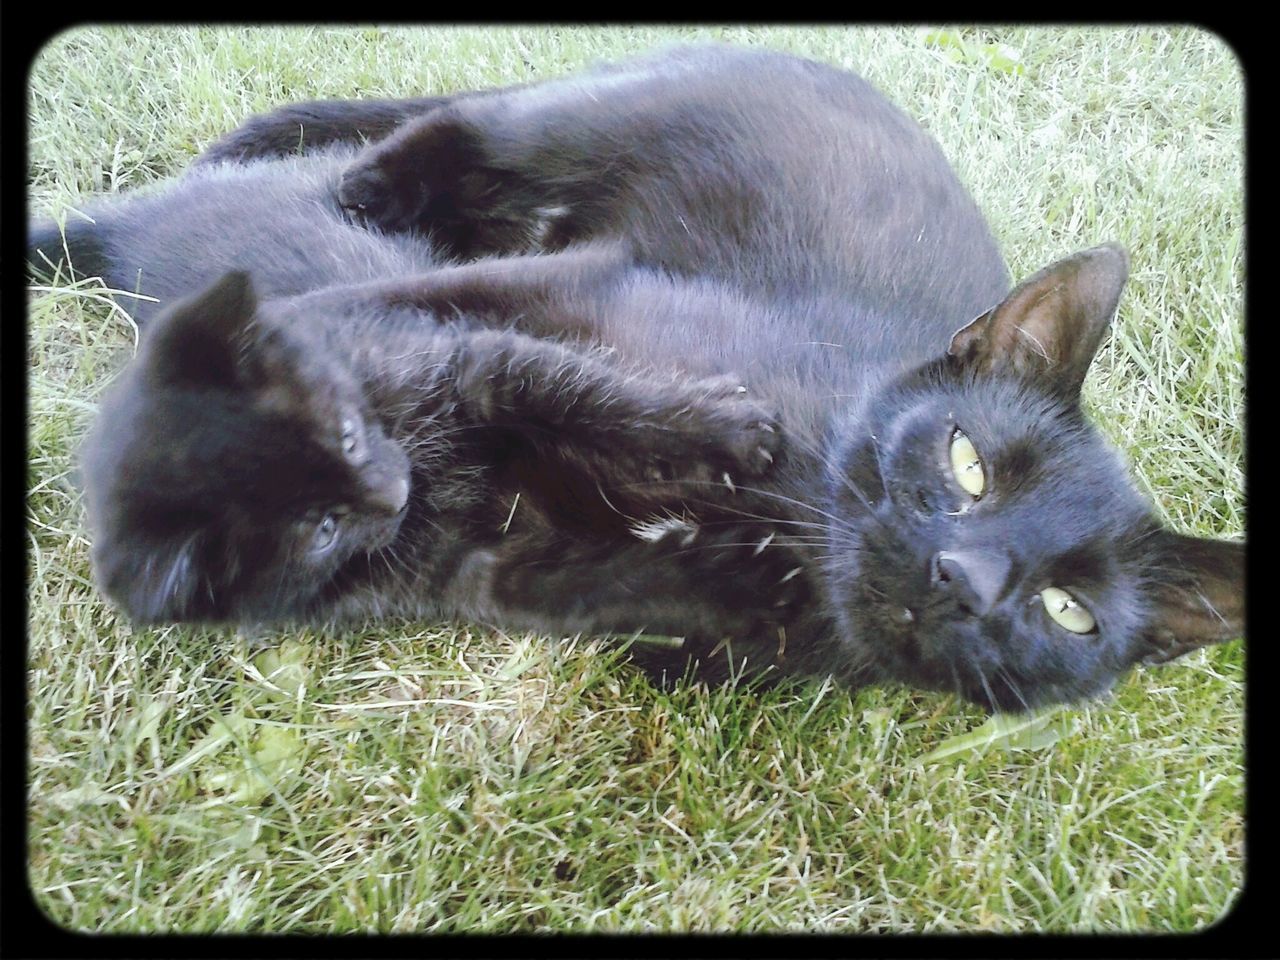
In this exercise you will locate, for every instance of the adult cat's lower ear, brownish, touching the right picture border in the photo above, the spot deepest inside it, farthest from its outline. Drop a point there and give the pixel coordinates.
(1197, 596)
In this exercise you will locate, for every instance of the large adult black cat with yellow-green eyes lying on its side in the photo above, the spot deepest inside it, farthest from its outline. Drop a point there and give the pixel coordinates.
(954, 520)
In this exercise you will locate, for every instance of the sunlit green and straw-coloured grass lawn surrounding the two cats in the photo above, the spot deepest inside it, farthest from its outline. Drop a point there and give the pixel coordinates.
(432, 778)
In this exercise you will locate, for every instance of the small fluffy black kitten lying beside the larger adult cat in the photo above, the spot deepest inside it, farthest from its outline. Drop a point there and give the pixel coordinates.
(350, 454)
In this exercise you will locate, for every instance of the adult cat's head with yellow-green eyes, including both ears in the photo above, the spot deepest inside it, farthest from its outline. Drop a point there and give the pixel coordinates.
(994, 545)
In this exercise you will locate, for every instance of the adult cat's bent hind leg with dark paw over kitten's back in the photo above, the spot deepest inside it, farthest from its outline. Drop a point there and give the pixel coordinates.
(527, 170)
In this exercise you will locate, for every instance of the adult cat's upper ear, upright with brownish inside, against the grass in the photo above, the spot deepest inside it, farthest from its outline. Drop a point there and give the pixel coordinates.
(1052, 326)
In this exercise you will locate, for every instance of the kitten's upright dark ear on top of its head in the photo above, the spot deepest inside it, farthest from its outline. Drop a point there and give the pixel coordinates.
(198, 340)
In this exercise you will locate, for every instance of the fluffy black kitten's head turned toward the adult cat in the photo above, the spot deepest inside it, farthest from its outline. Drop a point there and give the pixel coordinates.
(235, 467)
